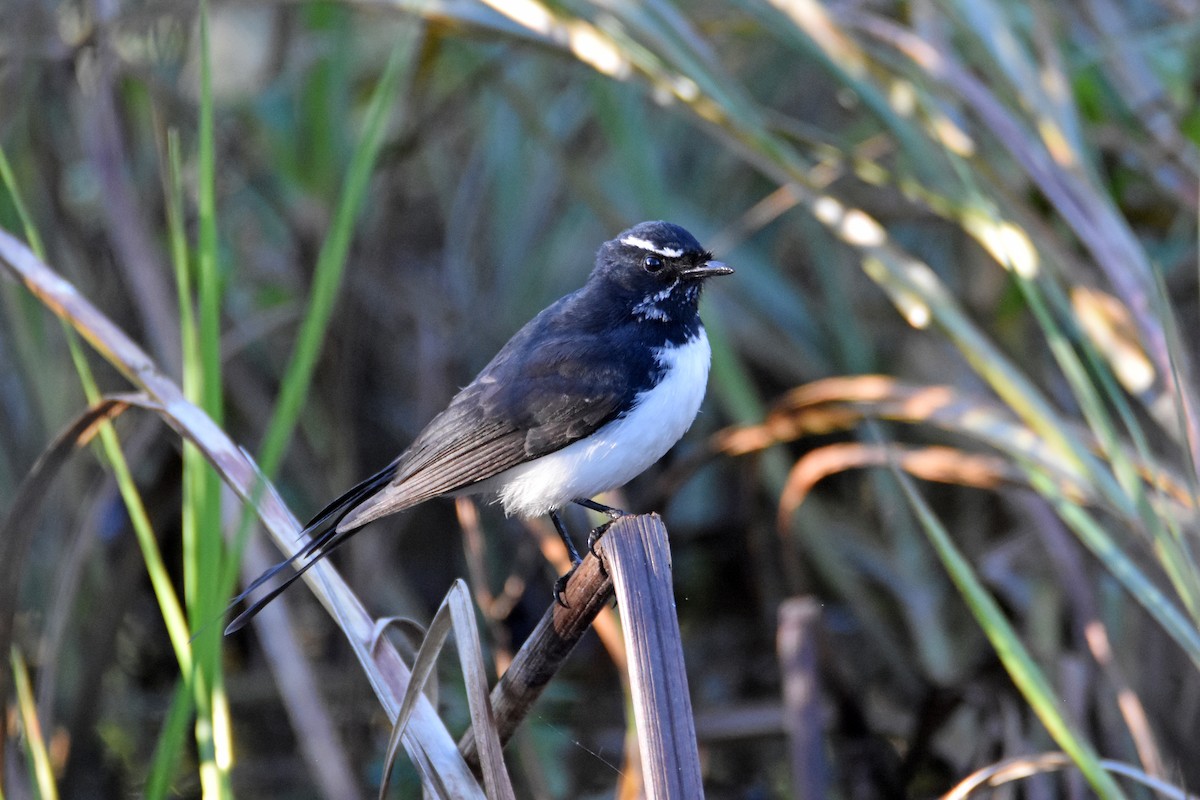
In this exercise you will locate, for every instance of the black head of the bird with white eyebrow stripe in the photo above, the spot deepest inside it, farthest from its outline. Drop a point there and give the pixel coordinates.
(658, 269)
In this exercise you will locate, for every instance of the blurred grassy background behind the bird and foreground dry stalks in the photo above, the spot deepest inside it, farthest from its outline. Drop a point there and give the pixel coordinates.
(989, 206)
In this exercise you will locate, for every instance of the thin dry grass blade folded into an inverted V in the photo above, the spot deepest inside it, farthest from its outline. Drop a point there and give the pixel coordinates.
(458, 613)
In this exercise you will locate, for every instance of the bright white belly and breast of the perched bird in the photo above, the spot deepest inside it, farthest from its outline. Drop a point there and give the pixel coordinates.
(619, 452)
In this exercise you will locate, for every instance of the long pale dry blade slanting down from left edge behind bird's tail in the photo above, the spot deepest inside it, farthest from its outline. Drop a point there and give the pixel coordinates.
(429, 744)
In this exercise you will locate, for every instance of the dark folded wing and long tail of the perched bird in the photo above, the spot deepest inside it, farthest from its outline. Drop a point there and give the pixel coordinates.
(538, 395)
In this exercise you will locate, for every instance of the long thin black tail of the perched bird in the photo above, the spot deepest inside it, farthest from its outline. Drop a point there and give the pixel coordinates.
(323, 539)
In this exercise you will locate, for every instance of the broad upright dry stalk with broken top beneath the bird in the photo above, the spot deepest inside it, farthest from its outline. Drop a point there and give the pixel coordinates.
(638, 556)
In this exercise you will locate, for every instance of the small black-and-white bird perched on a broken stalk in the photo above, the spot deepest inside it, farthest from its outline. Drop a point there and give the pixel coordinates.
(586, 396)
